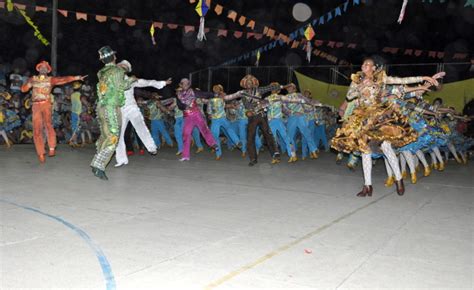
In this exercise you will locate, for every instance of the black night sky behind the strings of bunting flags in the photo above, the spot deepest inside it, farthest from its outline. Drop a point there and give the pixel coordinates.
(443, 27)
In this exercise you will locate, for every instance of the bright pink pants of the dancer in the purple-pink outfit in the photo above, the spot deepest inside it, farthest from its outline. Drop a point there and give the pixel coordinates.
(191, 121)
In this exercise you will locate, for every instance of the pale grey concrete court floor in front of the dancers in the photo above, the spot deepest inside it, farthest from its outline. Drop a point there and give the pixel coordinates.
(206, 224)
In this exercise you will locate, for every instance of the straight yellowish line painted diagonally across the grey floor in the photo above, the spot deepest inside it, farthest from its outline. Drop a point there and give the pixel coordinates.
(262, 259)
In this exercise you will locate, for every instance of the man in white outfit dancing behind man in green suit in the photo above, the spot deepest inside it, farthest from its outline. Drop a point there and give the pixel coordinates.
(131, 112)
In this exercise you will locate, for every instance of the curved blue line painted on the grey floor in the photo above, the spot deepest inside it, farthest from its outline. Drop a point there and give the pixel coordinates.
(104, 263)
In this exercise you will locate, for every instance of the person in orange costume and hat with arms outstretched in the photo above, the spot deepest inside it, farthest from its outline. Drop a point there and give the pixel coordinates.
(42, 107)
